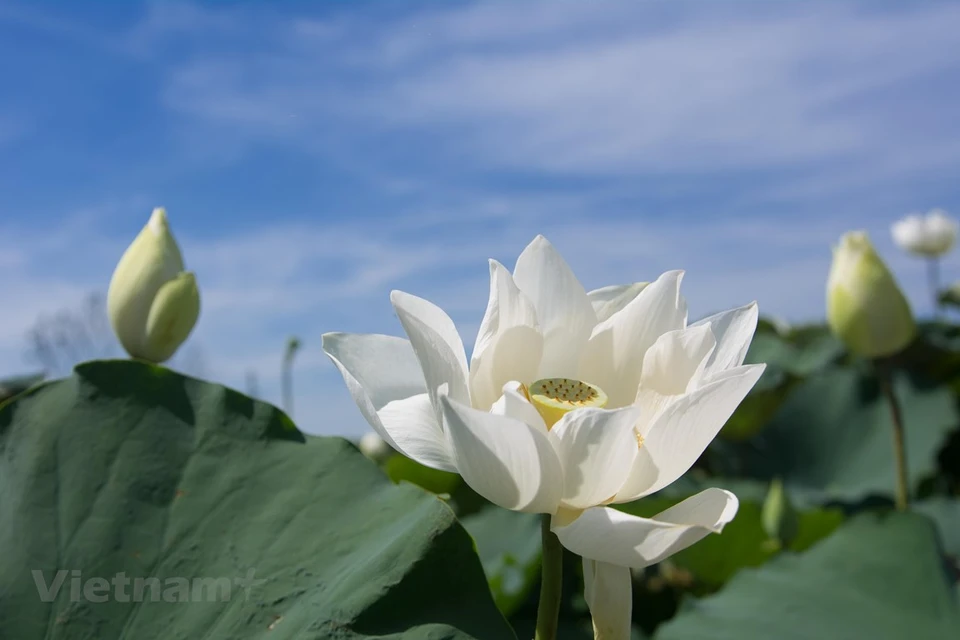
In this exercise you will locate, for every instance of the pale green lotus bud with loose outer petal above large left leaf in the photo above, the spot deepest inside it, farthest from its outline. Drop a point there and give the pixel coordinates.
(153, 303)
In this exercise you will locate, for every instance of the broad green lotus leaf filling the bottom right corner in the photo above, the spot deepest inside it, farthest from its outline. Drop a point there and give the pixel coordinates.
(880, 576)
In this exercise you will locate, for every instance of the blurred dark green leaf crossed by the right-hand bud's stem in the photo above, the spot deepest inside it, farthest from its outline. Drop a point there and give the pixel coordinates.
(832, 436)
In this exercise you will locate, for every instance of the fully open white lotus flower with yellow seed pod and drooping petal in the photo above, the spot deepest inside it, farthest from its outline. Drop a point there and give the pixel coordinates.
(571, 401)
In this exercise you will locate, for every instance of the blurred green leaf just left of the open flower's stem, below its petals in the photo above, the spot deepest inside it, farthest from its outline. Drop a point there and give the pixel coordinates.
(508, 543)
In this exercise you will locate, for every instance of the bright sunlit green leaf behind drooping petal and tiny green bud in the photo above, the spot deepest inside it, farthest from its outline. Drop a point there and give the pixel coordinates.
(742, 543)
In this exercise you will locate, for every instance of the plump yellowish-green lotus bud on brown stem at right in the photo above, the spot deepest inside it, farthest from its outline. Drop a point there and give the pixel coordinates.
(865, 307)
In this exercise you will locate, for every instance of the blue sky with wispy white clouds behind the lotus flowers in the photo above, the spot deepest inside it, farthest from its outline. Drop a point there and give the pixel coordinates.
(314, 156)
